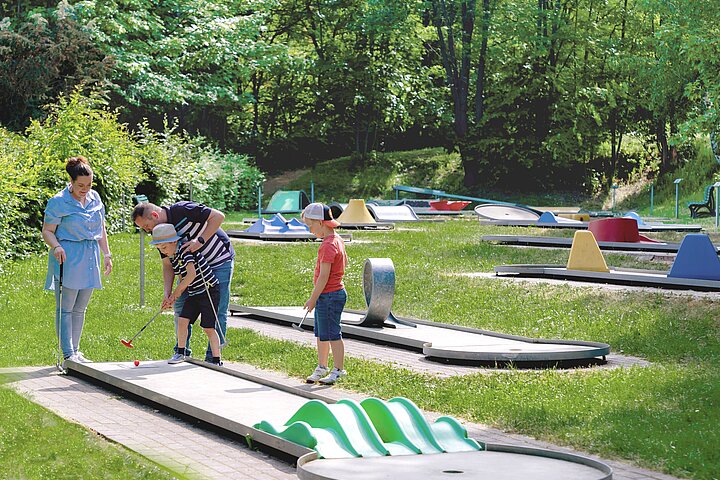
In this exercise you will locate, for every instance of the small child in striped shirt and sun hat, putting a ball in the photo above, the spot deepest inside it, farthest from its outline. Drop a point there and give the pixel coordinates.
(202, 286)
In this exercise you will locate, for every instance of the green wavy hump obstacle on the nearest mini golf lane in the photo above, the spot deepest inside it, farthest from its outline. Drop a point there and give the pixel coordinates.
(371, 428)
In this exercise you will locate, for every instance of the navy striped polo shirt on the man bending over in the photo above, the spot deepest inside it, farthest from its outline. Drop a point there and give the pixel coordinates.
(188, 218)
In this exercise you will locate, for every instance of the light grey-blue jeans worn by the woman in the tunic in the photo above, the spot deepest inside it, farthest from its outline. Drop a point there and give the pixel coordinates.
(70, 318)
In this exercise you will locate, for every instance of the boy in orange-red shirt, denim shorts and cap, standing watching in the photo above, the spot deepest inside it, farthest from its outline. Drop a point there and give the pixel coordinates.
(328, 298)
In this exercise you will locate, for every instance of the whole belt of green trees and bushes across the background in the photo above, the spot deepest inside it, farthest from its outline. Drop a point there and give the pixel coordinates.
(199, 97)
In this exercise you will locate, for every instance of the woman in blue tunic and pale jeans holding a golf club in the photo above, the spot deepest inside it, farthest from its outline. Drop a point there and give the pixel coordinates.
(74, 229)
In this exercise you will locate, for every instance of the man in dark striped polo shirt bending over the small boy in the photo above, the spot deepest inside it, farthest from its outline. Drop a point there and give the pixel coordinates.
(199, 226)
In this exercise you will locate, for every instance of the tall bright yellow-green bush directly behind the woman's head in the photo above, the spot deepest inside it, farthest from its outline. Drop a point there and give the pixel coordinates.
(33, 167)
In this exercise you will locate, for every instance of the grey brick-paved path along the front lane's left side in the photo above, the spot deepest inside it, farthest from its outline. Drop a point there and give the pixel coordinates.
(188, 450)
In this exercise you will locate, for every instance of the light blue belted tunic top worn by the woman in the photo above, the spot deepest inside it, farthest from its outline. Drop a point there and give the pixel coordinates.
(78, 231)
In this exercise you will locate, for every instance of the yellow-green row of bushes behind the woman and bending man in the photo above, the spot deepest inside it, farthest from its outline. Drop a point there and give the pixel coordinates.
(165, 165)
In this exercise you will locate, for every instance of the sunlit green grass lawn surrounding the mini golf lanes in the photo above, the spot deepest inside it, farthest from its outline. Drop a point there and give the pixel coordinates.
(663, 417)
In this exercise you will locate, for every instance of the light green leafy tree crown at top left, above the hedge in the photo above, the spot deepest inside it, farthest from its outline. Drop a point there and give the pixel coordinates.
(178, 52)
